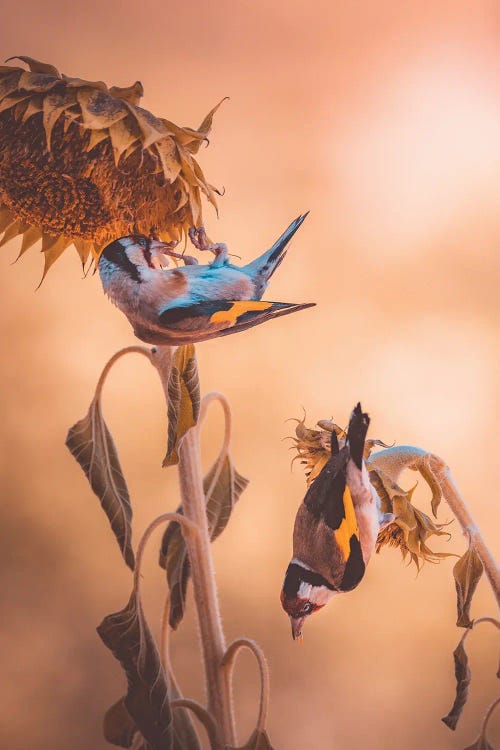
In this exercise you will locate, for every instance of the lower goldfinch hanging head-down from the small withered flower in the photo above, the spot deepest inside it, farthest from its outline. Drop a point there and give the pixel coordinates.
(335, 530)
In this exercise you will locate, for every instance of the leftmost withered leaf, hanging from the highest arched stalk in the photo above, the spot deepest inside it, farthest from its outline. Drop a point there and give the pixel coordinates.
(91, 443)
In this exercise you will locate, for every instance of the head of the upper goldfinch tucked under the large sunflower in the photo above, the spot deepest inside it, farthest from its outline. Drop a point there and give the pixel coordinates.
(128, 256)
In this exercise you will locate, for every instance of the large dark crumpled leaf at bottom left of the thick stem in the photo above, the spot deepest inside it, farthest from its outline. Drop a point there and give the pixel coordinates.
(127, 635)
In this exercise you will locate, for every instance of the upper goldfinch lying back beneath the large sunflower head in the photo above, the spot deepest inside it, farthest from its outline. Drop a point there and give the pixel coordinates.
(194, 302)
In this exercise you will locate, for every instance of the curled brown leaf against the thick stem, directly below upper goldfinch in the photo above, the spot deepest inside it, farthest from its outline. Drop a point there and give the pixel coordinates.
(183, 399)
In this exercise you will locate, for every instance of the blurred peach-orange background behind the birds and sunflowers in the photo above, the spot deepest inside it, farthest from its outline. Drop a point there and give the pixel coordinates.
(383, 120)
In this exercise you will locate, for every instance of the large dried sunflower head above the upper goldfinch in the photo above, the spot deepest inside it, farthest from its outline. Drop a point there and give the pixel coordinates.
(82, 163)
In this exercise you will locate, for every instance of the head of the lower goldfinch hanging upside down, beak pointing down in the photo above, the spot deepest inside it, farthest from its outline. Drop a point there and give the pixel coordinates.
(304, 592)
